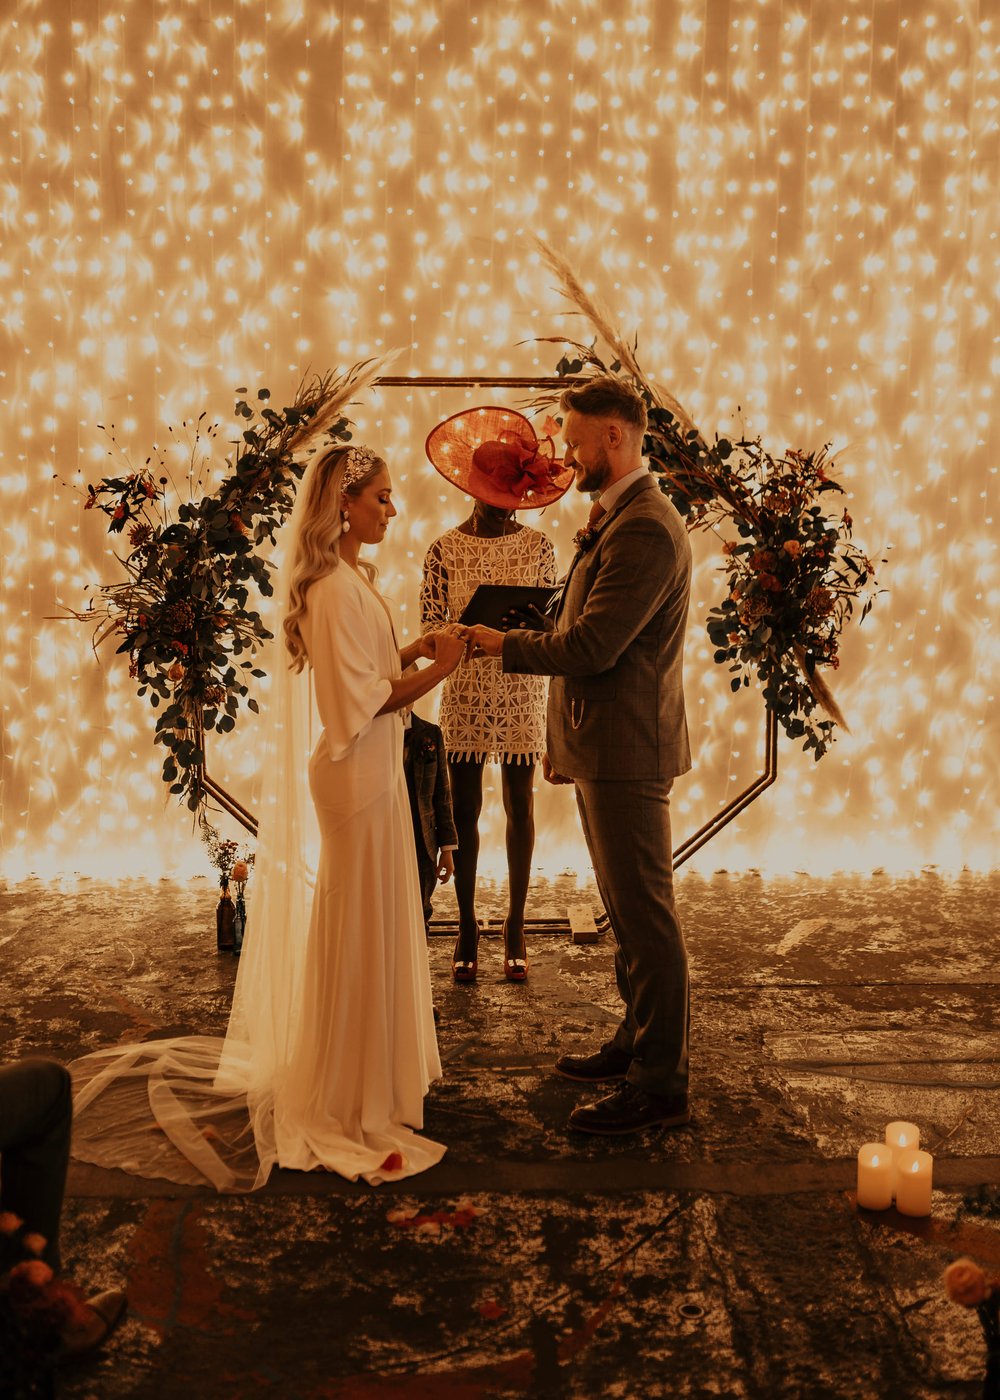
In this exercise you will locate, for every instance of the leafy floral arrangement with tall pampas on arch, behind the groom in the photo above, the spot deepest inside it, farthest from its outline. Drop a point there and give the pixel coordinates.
(793, 575)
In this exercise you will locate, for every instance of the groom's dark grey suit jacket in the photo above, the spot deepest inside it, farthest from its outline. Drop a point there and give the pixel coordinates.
(617, 652)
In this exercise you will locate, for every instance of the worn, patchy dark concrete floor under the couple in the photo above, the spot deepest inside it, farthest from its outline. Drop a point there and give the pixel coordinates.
(726, 1259)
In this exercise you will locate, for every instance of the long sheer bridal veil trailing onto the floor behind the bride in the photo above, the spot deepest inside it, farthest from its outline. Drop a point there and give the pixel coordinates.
(202, 1108)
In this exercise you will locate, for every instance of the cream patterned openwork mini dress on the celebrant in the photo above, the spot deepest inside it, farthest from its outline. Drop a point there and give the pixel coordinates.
(487, 715)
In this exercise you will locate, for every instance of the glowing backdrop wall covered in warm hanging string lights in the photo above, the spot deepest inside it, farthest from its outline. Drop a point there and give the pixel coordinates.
(793, 205)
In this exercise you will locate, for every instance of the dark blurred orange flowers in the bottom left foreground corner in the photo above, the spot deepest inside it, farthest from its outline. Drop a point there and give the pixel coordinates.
(36, 1311)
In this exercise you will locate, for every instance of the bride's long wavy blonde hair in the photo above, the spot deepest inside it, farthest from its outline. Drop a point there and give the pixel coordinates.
(319, 545)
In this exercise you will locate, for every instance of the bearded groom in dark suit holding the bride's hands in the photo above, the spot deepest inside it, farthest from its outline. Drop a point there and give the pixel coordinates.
(617, 730)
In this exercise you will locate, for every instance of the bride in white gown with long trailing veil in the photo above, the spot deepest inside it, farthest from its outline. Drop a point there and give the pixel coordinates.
(331, 1045)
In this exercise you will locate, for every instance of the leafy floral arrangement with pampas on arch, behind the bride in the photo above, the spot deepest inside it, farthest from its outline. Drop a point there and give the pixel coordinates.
(184, 612)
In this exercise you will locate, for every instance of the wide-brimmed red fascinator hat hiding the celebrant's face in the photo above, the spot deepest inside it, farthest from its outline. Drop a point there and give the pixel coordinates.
(496, 456)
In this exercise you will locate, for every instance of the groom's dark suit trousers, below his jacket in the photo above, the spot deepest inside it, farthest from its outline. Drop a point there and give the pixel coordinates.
(627, 827)
